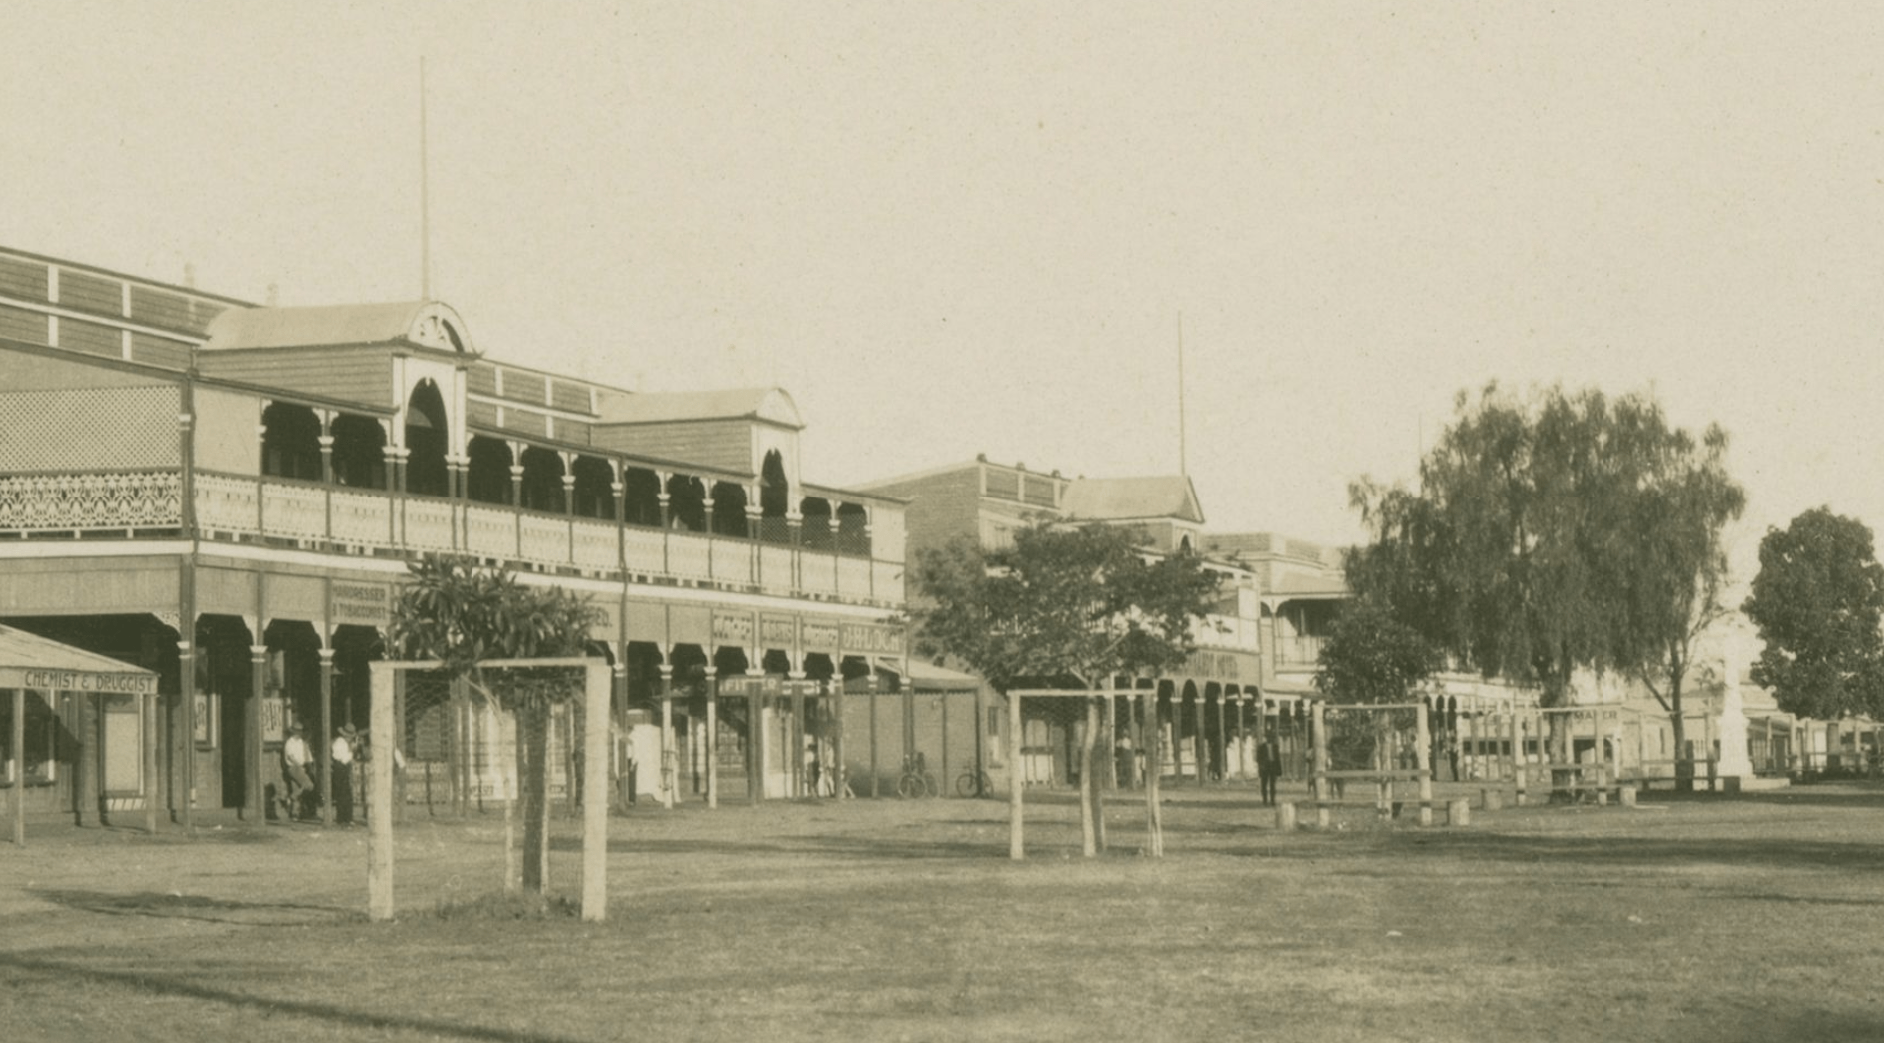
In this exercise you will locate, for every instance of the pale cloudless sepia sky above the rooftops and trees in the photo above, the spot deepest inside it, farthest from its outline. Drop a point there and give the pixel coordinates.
(992, 229)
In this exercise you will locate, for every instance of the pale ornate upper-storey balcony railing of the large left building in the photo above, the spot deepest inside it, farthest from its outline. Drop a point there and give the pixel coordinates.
(334, 517)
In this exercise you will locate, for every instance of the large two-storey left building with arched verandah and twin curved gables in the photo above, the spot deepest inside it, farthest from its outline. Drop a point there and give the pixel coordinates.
(229, 496)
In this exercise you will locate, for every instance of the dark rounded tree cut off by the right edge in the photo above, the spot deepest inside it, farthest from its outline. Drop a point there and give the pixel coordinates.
(1819, 602)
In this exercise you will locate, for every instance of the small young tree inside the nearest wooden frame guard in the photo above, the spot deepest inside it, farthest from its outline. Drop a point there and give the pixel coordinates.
(466, 617)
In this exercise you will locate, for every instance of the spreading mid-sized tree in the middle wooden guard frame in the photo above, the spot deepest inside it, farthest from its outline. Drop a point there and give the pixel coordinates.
(1064, 607)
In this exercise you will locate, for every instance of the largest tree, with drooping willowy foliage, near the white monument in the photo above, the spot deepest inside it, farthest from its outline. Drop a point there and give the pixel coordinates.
(1550, 536)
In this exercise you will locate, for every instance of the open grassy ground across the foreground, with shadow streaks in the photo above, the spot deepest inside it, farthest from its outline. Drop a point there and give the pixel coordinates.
(1721, 920)
